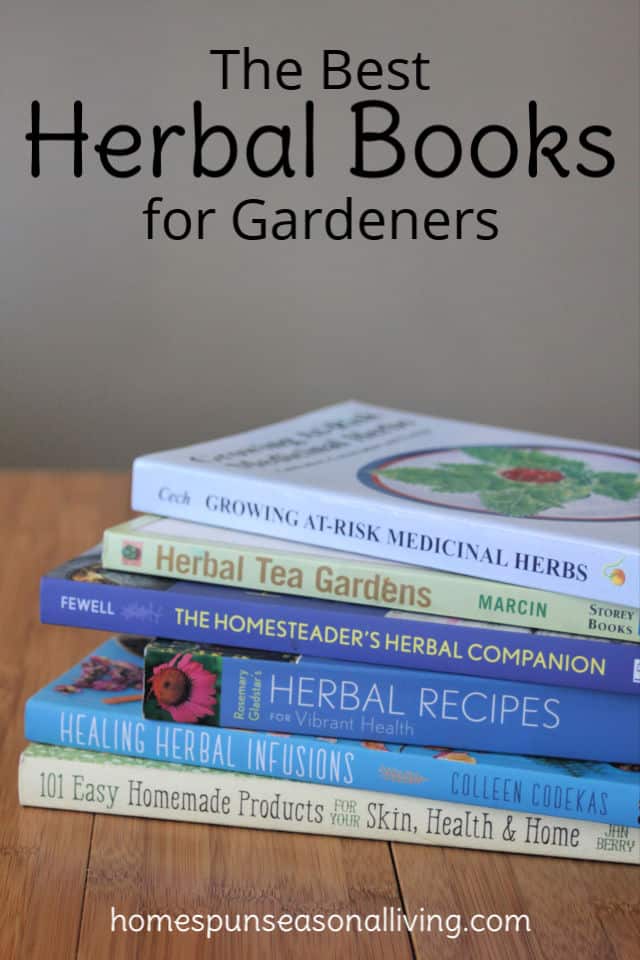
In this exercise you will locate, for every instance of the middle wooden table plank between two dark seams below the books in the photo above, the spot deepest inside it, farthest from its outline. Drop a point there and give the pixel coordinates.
(154, 867)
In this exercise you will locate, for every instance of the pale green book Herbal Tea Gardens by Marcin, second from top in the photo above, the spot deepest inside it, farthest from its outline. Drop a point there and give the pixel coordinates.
(200, 553)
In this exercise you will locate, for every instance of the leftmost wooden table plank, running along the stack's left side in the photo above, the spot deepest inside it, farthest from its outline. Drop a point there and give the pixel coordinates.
(43, 854)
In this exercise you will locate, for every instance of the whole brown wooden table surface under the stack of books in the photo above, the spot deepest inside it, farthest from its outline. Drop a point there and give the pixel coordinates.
(60, 873)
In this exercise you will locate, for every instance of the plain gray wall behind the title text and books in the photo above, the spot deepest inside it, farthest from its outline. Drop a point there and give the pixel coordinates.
(112, 344)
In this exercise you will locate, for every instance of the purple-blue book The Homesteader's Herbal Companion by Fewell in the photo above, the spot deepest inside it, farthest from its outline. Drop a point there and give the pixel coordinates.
(82, 593)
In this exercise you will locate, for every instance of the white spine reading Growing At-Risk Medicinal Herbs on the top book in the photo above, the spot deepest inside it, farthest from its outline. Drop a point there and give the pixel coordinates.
(512, 555)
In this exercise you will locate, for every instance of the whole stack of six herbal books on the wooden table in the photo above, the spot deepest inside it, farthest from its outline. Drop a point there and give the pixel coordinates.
(360, 622)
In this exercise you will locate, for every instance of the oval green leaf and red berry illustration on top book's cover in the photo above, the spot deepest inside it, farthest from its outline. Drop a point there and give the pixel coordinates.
(535, 482)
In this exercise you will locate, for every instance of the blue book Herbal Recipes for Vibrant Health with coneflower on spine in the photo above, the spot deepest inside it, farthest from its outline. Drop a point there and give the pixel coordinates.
(306, 695)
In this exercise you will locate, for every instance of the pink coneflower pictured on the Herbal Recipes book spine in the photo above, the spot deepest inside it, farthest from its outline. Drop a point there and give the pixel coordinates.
(184, 689)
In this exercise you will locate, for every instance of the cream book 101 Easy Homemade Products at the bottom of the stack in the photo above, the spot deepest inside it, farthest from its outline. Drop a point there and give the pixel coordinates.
(62, 778)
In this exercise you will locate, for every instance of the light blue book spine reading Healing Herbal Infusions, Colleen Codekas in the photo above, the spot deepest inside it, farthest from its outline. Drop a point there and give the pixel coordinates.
(544, 790)
